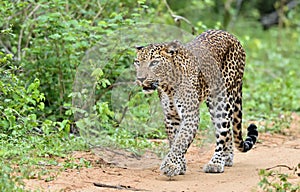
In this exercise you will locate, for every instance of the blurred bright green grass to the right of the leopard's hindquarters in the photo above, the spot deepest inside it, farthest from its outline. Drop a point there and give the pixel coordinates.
(271, 89)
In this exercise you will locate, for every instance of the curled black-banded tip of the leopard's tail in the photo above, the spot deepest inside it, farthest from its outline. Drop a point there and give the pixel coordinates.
(247, 144)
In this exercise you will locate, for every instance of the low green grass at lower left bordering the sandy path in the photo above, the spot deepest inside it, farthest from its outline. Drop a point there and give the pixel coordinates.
(29, 157)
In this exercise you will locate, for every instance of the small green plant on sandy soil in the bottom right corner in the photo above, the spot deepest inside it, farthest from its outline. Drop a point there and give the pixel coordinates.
(276, 181)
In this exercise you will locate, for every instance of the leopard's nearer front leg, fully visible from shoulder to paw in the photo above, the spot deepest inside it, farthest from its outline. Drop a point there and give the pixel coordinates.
(187, 105)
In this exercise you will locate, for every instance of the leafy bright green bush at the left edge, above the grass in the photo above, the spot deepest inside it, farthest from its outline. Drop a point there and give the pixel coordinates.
(20, 104)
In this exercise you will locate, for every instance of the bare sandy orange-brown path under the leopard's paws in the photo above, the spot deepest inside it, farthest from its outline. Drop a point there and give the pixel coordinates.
(115, 170)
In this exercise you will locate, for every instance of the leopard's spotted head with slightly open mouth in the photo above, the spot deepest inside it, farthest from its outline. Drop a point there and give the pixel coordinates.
(154, 63)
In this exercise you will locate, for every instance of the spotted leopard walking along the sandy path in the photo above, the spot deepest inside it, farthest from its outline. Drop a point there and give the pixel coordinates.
(208, 69)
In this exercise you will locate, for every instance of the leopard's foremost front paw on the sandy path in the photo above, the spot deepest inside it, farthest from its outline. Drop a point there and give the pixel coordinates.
(173, 165)
